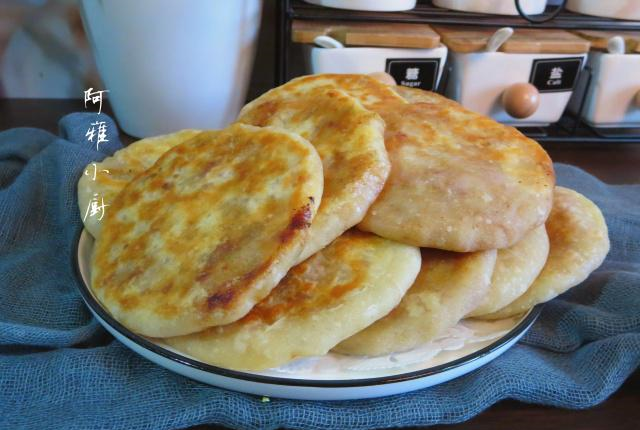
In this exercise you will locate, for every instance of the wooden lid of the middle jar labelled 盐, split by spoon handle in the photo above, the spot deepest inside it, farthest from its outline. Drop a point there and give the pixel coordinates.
(474, 39)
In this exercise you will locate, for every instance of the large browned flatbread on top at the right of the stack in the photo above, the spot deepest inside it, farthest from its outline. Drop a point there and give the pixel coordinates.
(459, 181)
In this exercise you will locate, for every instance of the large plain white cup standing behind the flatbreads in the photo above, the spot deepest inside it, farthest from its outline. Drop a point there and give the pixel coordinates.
(171, 65)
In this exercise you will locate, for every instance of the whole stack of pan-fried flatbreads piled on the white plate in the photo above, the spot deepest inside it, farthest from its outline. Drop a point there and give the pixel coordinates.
(338, 213)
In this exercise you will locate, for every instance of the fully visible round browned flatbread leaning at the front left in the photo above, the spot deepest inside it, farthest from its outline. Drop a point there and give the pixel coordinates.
(207, 231)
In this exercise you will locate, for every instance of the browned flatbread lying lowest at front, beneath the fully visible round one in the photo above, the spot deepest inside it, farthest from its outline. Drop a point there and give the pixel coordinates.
(337, 292)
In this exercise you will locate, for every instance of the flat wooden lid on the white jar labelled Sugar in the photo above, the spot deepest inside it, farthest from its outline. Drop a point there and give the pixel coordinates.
(396, 35)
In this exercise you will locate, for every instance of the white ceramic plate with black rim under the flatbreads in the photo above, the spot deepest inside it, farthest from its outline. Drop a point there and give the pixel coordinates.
(463, 349)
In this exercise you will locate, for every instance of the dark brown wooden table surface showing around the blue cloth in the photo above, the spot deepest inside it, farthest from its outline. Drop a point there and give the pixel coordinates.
(612, 163)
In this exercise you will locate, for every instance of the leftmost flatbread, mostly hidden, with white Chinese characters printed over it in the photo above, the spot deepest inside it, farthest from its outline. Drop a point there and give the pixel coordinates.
(107, 178)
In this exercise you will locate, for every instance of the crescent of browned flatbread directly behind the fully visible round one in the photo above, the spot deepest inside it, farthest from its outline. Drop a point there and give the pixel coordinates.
(350, 141)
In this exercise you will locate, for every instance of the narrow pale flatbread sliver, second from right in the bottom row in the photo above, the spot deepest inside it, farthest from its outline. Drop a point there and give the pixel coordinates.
(516, 269)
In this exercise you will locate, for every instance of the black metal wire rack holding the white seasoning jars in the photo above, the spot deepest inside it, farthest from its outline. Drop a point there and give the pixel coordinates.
(571, 127)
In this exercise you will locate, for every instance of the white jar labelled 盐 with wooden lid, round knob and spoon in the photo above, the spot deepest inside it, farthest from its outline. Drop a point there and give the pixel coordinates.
(522, 77)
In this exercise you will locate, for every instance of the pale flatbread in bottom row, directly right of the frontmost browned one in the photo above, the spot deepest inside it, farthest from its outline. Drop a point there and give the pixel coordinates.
(448, 287)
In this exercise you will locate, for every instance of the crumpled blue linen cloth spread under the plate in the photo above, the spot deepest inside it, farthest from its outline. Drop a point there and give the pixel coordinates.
(59, 369)
